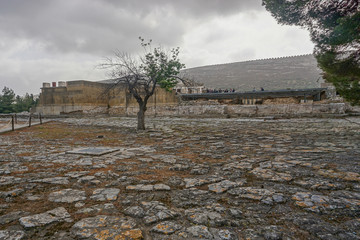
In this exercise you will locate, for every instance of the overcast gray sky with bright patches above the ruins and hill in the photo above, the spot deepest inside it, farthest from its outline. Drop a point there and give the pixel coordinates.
(57, 40)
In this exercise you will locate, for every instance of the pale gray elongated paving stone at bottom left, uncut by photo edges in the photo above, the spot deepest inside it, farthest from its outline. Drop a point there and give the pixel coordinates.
(37, 220)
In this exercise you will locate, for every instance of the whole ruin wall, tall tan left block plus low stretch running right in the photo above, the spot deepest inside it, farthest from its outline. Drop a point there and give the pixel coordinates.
(84, 97)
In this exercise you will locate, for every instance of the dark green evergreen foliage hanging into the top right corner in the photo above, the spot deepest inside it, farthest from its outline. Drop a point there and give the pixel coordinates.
(334, 28)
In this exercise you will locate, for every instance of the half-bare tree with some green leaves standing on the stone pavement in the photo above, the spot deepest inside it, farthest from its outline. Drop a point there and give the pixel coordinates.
(141, 75)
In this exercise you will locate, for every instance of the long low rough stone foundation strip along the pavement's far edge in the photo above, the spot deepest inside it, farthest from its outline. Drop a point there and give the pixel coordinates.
(212, 110)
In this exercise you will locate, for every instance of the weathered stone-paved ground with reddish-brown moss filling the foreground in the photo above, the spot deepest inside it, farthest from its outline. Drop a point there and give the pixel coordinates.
(182, 179)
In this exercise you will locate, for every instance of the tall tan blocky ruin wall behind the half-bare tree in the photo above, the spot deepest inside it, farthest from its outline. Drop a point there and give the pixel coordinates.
(87, 97)
